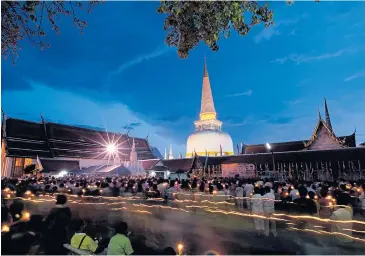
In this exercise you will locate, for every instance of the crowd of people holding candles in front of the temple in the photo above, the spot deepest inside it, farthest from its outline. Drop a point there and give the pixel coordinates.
(330, 200)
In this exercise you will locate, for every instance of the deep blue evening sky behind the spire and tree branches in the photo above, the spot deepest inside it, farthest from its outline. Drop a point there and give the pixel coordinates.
(267, 86)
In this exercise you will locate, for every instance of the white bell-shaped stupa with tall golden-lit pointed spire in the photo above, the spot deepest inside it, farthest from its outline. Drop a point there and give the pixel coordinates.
(208, 138)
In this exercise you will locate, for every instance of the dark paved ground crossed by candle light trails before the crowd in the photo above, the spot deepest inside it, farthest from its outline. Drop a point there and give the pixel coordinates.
(201, 231)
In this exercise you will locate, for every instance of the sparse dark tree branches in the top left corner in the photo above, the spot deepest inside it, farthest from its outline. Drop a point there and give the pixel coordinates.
(26, 19)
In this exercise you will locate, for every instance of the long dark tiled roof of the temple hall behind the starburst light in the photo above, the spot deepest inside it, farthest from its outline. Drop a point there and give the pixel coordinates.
(32, 139)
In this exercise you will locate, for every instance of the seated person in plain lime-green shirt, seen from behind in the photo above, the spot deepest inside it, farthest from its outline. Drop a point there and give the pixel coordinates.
(120, 244)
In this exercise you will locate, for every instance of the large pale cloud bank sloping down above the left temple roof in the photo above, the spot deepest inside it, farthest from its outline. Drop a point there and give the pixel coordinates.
(70, 108)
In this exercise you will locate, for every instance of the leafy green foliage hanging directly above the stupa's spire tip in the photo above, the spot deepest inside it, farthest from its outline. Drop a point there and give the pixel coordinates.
(189, 22)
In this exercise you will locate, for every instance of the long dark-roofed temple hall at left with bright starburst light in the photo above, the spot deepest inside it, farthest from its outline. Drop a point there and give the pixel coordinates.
(51, 148)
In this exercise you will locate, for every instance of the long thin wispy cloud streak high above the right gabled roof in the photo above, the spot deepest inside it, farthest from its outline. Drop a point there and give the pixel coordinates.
(305, 58)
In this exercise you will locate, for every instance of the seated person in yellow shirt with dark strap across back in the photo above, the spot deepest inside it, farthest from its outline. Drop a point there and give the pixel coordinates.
(81, 240)
